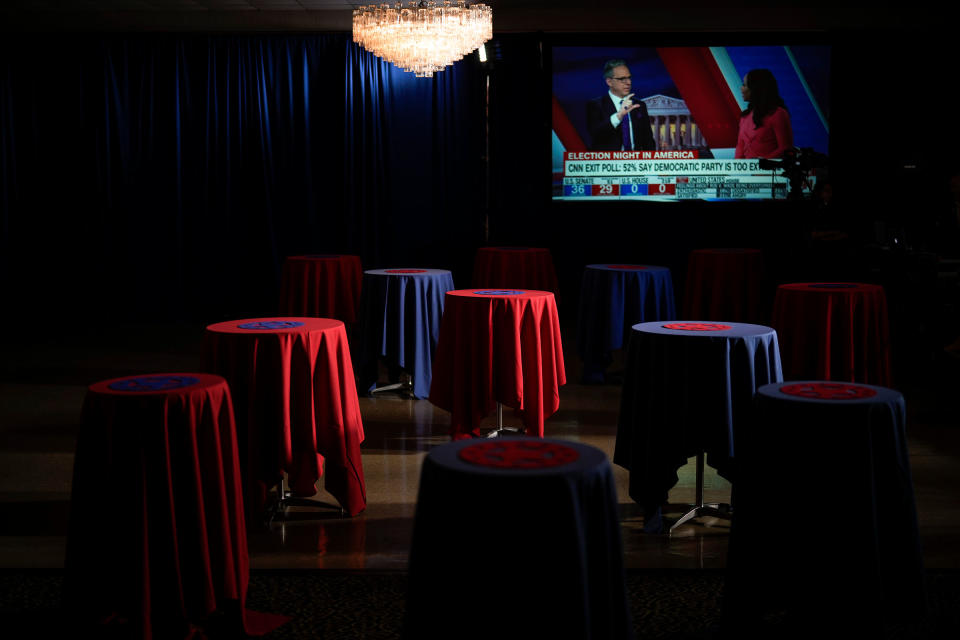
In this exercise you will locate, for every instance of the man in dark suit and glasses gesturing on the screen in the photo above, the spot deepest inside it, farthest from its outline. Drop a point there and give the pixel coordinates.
(616, 121)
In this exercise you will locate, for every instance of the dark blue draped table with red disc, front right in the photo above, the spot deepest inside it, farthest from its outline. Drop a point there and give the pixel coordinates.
(842, 448)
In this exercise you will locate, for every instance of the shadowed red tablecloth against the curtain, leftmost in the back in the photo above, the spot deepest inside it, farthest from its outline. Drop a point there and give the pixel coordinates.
(321, 286)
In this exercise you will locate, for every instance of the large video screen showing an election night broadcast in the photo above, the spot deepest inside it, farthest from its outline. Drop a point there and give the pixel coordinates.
(668, 123)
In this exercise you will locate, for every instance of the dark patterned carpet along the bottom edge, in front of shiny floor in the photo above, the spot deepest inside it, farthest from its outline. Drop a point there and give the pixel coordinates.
(665, 604)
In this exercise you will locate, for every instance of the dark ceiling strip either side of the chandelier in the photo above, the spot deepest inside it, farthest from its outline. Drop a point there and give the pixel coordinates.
(509, 15)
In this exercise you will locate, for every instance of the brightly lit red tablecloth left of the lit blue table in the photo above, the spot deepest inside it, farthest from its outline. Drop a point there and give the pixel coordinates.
(297, 409)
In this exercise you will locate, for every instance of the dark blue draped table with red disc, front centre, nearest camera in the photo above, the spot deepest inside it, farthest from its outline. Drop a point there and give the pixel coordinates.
(527, 525)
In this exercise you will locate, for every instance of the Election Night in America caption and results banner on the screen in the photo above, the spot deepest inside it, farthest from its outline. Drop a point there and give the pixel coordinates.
(665, 175)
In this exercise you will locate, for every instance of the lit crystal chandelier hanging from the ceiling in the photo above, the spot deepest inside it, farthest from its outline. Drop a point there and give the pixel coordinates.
(425, 36)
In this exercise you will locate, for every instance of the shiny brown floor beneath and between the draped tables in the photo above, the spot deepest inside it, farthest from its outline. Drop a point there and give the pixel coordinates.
(44, 380)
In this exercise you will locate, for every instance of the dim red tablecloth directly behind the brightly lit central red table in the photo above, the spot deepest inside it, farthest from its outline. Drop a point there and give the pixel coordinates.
(520, 267)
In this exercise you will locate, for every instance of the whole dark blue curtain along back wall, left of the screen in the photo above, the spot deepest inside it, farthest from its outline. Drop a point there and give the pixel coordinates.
(165, 177)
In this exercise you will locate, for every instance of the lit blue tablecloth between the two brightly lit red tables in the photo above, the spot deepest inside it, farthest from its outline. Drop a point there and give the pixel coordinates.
(400, 311)
